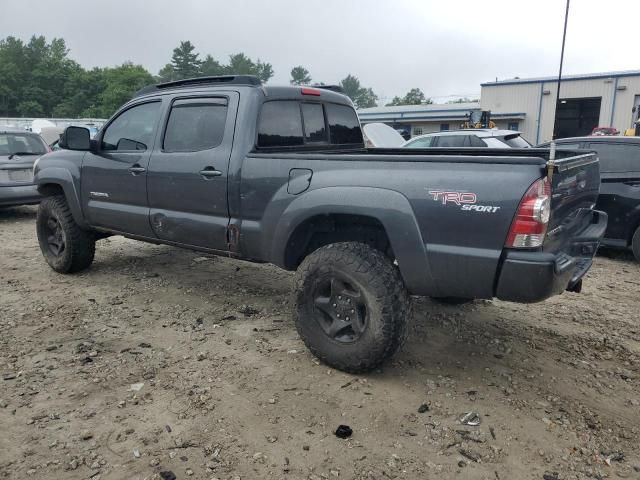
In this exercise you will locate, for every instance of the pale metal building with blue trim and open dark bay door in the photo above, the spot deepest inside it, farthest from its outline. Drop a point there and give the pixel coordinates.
(610, 99)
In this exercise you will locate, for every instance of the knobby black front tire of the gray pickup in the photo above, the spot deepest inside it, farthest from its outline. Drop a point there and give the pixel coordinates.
(79, 245)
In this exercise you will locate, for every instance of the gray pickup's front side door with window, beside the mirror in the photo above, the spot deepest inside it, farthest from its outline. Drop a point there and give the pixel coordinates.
(114, 180)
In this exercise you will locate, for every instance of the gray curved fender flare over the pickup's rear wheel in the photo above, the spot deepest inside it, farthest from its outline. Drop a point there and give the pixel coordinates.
(390, 208)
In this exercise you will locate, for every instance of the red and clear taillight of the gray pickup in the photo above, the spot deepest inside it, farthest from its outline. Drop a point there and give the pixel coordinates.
(529, 226)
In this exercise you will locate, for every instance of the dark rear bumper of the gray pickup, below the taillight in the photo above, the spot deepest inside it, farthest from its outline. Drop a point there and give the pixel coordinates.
(528, 277)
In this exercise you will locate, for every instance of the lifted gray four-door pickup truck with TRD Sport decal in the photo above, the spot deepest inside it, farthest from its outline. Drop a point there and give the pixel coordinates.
(281, 175)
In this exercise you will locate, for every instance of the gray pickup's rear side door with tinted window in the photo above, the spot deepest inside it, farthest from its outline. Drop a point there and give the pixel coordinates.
(187, 178)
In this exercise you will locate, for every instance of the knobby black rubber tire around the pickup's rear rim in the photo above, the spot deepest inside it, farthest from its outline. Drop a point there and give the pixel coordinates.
(380, 286)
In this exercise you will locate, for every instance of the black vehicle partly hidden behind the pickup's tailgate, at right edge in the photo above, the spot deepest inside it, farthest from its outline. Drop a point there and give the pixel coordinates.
(620, 188)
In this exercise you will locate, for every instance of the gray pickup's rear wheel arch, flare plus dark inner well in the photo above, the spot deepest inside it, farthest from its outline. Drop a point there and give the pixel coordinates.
(372, 215)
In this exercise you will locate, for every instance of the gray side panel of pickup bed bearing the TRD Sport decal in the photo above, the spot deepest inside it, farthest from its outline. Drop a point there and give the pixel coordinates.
(462, 247)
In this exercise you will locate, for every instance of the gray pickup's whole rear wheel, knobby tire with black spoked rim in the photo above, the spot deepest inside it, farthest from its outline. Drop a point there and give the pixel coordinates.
(352, 306)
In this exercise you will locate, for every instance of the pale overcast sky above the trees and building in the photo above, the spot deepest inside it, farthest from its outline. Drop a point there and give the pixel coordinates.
(444, 48)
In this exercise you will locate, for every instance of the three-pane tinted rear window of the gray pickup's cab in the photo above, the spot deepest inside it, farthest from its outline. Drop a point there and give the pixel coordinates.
(289, 123)
